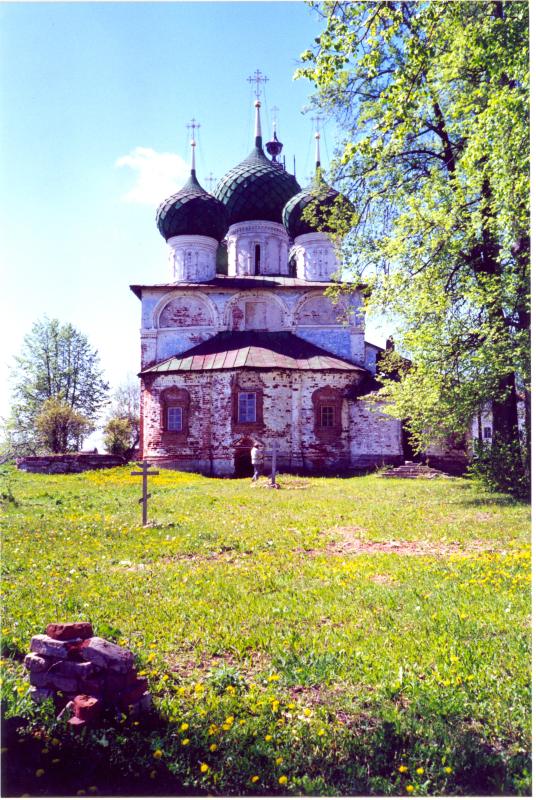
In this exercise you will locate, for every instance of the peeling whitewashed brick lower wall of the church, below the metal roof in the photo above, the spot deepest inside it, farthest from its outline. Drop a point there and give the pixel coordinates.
(214, 441)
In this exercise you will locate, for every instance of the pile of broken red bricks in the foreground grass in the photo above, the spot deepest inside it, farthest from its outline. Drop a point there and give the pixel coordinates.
(90, 673)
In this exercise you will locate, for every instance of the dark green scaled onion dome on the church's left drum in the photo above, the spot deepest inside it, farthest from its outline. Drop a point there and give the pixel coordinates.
(192, 211)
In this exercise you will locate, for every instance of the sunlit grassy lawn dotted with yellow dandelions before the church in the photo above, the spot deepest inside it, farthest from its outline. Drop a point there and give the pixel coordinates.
(339, 636)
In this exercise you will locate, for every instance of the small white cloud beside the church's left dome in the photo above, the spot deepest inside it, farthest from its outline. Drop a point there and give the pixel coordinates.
(157, 175)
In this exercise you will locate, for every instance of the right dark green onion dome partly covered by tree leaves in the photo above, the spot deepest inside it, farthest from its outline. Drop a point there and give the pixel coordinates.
(319, 196)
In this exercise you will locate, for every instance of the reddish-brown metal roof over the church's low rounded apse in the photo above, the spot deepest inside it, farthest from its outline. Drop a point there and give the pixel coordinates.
(256, 350)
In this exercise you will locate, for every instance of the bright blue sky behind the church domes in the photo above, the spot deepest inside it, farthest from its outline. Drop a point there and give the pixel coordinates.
(94, 103)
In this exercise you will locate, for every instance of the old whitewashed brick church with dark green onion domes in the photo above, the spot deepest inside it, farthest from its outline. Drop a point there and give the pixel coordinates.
(241, 343)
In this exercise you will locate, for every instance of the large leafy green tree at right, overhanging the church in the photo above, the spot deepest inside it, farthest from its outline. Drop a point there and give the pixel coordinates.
(432, 99)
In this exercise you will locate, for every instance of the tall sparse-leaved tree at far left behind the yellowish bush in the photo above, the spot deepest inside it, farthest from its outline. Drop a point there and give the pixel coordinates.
(58, 364)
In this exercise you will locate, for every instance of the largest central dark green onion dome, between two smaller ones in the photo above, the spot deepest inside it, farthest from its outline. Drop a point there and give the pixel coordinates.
(256, 189)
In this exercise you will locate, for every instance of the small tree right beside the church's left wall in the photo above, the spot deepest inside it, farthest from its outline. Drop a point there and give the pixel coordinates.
(122, 429)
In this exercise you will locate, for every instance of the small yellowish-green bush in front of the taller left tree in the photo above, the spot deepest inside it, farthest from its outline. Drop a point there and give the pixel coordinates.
(61, 429)
